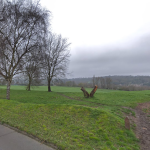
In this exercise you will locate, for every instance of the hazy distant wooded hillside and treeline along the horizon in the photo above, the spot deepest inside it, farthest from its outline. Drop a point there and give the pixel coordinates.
(128, 83)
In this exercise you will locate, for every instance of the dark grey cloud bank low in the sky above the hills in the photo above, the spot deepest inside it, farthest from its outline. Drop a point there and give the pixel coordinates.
(131, 60)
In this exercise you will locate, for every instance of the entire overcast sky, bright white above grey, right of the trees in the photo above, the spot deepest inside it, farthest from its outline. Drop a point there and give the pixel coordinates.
(109, 37)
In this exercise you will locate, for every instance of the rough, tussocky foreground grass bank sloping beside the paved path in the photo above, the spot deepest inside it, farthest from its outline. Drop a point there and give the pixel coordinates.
(69, 126)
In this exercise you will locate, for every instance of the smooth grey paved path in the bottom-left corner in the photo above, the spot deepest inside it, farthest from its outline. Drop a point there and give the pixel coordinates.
(12, 140)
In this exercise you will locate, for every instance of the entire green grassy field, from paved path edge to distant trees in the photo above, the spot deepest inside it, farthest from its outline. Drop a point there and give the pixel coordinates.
(70, 121)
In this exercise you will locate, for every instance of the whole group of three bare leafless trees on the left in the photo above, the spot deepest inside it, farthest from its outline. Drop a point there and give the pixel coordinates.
(27, 46)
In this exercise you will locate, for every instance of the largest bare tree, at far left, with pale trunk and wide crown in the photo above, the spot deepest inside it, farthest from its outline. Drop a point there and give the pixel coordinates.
(22, 26)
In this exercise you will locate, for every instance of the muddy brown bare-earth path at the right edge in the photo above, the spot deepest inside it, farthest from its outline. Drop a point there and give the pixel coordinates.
(142, 121)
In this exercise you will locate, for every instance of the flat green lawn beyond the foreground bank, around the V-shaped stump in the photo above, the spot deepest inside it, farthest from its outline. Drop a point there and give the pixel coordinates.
(39, 95)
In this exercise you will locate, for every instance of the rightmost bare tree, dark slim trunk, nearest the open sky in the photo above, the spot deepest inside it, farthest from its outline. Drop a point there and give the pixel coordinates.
(56, 58)
